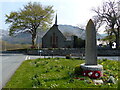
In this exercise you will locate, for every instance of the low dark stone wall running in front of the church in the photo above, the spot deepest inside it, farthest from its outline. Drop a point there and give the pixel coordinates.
(73, 52)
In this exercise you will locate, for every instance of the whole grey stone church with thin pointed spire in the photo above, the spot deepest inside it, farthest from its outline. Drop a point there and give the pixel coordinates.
(54, 38)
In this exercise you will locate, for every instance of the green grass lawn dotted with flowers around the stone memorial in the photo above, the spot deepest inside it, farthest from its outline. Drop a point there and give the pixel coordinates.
(59, 73)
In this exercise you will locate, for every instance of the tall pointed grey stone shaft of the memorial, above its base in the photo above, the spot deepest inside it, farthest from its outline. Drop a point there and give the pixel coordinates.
(90, 48)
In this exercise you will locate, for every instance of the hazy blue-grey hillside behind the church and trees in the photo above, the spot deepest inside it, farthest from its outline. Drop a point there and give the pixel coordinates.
(25, 38)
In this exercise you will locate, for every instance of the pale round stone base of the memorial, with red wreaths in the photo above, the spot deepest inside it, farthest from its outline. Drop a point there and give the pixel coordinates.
(92, 71)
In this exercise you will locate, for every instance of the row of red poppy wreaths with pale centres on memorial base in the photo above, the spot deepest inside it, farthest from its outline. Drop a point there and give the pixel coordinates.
(92, 74)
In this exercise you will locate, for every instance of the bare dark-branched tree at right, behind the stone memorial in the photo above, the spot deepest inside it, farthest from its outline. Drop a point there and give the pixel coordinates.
(109, 13)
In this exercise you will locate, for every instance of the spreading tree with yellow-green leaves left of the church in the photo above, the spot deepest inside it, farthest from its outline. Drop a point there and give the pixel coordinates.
(29, 19)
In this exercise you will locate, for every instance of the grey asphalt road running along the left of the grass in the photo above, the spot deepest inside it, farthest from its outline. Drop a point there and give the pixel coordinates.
(10, 62)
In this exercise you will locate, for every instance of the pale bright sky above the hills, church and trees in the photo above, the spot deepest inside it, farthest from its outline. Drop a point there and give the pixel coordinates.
(69, 12)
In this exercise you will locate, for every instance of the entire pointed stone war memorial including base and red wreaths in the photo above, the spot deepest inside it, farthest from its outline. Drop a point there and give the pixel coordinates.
(91, 68)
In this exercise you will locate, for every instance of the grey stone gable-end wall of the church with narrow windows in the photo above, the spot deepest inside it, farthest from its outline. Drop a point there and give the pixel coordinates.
(53, 38)
